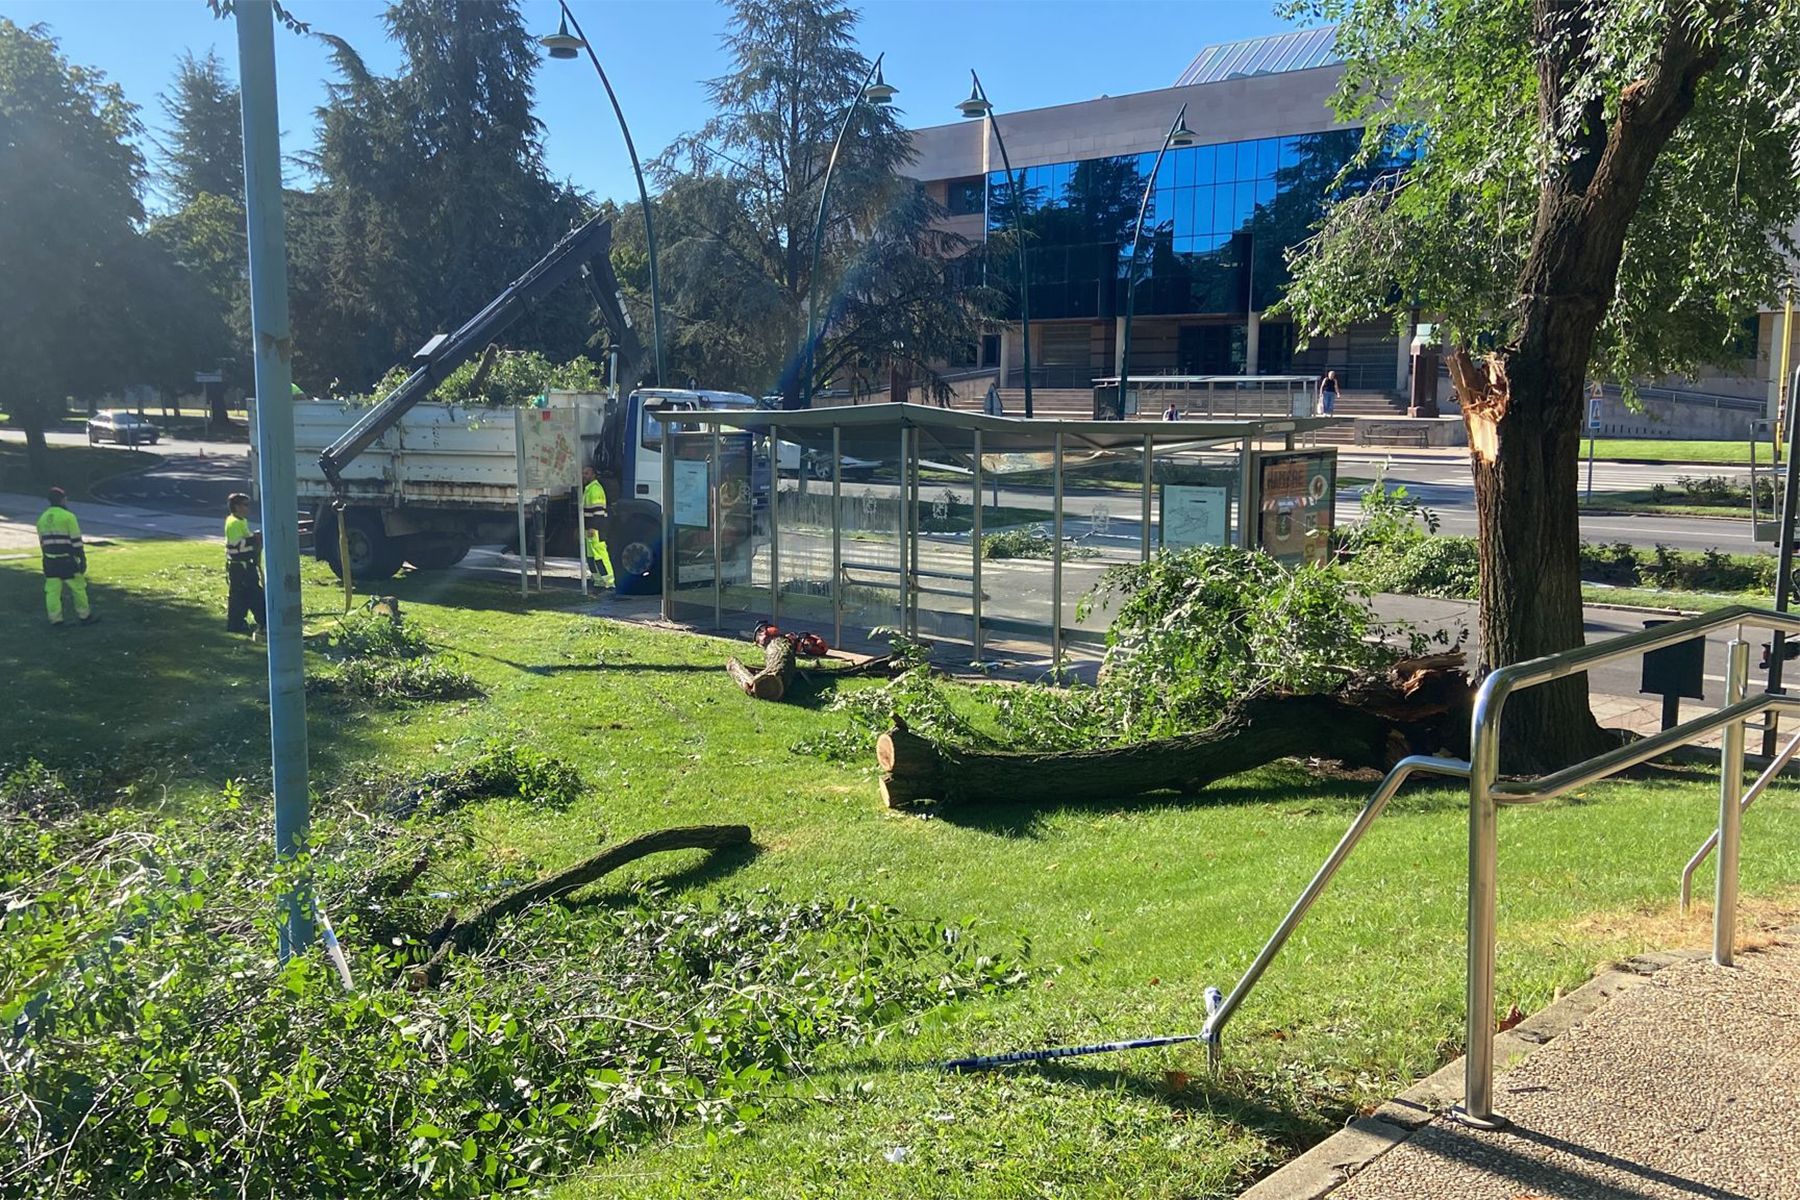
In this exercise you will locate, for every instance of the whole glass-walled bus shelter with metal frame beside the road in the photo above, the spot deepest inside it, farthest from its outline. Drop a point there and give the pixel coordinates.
(960, 526)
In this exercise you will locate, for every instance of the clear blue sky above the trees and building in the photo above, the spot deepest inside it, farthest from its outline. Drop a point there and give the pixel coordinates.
(660, 53)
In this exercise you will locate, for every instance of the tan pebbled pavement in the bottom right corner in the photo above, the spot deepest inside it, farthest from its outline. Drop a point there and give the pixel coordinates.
(1687, 1086)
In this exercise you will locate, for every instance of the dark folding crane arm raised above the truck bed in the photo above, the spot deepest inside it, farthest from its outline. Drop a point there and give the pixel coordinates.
(584, 251)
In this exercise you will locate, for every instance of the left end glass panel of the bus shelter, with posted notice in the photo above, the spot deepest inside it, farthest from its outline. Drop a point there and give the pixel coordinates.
(710, 530)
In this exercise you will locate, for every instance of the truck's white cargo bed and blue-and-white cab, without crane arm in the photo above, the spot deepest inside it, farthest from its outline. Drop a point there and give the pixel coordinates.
(444, 479)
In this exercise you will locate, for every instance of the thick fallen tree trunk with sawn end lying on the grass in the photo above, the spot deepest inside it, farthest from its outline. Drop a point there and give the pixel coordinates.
(1419, 708)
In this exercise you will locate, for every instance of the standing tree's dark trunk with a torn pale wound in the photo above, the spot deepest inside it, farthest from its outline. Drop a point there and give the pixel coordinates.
(1524, 404)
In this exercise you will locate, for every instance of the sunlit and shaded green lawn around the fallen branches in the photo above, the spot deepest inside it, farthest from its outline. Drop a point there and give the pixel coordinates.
(1129, 909)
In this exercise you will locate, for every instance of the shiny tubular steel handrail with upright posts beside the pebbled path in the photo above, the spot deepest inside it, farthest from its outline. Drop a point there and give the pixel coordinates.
(1486, 800)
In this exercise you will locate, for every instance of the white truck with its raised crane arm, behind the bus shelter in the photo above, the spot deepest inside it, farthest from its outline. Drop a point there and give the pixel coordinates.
(424, 483)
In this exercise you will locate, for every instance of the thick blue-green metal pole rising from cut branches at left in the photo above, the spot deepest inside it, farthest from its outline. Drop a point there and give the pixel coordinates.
(274, 445)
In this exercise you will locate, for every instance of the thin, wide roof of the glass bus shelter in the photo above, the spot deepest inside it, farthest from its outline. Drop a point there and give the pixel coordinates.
(948, 434)
